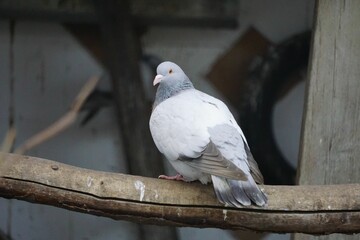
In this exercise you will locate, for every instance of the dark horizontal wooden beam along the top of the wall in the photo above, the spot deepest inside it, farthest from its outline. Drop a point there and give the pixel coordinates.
(188, 13)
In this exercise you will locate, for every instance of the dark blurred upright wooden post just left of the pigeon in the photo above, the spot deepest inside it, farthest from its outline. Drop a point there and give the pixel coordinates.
(123, 51)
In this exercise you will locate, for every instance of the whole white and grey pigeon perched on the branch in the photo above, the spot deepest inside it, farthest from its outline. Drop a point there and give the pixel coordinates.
(200, 137)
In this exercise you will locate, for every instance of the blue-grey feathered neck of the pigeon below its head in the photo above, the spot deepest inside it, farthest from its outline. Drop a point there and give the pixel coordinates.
(168, 89)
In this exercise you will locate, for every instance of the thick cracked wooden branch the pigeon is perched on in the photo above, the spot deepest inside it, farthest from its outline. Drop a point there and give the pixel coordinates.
(307, 209)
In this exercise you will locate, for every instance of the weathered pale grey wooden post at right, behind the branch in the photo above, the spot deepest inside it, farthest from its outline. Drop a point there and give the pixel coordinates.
(331, 132)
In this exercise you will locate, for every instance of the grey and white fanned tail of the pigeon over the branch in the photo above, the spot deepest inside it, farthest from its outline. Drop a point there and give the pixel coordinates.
(237, 193)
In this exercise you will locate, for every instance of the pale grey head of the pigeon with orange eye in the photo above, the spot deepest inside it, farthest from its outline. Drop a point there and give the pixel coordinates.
(169, 72)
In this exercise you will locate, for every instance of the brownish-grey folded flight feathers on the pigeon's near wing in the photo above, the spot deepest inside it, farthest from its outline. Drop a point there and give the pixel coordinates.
(211, 161)
